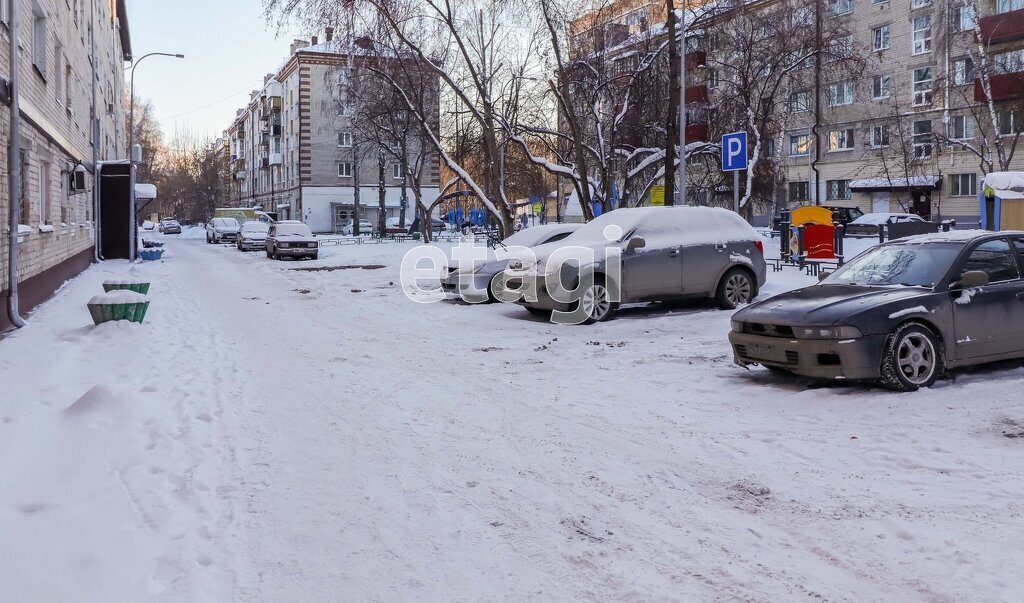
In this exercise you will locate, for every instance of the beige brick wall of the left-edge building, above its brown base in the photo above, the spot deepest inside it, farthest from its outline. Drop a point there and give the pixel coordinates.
(57, 104)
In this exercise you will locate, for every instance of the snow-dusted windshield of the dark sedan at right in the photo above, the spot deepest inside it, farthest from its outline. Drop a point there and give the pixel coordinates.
(911, 265)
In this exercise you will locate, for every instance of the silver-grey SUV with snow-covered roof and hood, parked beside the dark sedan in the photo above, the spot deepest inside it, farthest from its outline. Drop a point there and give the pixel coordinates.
(642, 255)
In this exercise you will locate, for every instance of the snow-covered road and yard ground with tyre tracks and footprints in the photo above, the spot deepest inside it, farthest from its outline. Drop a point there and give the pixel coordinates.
(284, 436)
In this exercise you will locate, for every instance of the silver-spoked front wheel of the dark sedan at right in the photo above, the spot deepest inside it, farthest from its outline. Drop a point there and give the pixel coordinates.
(913, 358)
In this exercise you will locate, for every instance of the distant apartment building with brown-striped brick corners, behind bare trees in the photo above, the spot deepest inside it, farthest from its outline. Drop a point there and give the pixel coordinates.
(303, 147)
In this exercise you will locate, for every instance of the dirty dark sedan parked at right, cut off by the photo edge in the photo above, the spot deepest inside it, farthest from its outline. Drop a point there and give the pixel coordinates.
(901, 313)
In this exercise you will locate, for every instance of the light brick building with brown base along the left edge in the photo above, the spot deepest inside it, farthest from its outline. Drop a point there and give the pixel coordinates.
(67, 46)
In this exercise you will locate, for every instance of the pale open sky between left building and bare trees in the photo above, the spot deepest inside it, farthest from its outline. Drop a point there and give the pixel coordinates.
(229, 48)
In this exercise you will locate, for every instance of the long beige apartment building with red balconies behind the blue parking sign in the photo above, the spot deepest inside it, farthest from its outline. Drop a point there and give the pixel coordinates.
(887, 112)
